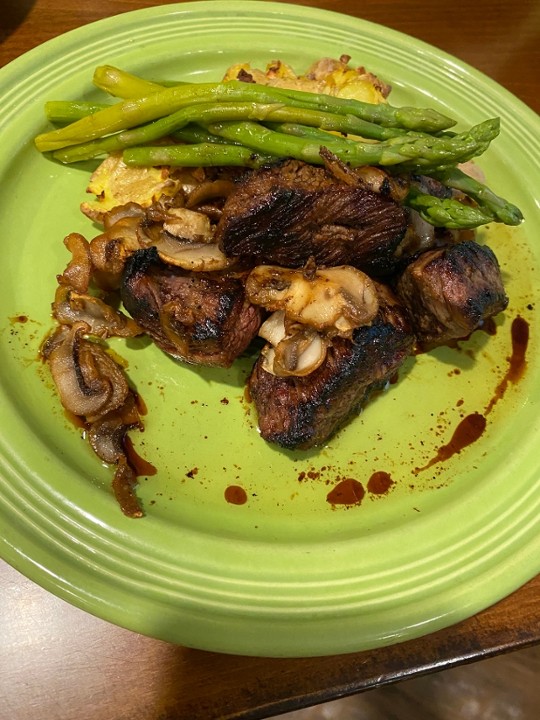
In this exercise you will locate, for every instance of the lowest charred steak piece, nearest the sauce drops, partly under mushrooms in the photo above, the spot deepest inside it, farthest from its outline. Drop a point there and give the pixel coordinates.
(302, 412)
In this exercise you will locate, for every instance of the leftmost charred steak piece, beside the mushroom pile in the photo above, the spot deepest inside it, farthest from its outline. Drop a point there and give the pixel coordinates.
(200, 318)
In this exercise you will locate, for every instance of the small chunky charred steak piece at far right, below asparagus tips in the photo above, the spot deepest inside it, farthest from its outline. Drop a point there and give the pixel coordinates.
(450, 291)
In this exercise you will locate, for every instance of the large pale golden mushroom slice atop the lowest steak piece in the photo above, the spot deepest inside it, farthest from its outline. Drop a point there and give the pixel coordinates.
(333, 300)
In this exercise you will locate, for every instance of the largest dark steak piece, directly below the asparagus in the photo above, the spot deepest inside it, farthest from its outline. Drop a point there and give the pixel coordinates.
(288, 213)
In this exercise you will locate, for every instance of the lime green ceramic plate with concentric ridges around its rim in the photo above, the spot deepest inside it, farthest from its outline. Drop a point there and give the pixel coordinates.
(286, 573)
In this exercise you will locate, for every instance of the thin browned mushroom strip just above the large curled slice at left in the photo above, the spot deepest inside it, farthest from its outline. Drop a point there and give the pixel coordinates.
(104, 321)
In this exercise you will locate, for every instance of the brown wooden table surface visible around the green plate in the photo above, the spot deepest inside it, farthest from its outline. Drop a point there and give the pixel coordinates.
(57, 662)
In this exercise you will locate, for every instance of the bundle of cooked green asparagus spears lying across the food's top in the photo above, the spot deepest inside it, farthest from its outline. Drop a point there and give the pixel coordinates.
(237, 123)
